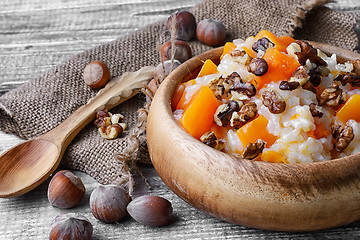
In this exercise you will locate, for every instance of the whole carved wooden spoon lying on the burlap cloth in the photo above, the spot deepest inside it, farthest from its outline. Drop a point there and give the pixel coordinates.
(30, 163)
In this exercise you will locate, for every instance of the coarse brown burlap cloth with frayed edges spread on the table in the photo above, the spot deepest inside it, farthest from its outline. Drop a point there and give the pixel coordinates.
(42, 103)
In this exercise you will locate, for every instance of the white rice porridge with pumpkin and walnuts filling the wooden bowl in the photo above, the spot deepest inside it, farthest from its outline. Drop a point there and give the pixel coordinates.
(274, 99)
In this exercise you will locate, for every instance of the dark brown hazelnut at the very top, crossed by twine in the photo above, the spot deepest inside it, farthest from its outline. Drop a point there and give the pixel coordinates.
(185, 25)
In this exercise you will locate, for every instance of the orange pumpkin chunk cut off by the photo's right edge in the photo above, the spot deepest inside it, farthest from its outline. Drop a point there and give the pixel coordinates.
(350, 110)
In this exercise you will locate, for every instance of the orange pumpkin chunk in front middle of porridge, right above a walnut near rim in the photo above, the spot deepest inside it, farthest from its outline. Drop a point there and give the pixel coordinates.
(254, 130)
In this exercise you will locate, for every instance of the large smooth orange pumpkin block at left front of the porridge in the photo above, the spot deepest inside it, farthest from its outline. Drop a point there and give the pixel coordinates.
(198, 118)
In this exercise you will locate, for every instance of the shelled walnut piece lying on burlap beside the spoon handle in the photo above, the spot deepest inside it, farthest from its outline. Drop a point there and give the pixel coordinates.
(110, 125)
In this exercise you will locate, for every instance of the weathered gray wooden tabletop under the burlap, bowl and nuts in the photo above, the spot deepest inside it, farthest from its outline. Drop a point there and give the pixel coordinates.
(36, 35)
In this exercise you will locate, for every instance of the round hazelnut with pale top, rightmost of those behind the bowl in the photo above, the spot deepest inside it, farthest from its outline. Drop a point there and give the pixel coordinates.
(211, 32)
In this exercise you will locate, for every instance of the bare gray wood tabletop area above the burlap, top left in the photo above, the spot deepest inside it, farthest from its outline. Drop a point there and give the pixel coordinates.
(32, 42)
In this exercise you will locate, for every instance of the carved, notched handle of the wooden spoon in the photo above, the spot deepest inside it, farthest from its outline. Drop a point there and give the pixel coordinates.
(118, 90)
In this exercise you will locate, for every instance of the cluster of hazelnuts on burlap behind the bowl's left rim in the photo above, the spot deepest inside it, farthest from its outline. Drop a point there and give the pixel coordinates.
(208, 31)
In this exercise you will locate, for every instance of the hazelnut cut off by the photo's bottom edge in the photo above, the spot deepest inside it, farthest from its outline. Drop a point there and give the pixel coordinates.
(71, 226)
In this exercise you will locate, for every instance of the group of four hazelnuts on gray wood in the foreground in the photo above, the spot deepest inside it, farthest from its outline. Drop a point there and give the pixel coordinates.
(108, 203)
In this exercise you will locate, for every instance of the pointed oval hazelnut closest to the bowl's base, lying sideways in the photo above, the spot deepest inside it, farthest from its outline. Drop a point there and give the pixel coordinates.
(150, 210)
